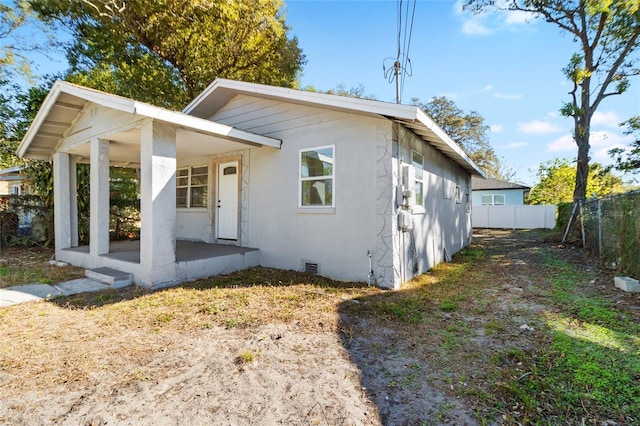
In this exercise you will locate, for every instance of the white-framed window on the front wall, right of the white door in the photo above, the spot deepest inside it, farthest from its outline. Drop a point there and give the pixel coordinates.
(317, 168)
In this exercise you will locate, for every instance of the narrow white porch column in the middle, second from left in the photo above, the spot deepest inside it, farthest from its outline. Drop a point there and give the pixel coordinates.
(99, 198)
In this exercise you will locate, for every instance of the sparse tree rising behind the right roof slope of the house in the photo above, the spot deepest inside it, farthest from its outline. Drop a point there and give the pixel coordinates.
(467, 130)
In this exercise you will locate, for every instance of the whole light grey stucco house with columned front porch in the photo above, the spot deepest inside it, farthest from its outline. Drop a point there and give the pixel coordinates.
(250, 174)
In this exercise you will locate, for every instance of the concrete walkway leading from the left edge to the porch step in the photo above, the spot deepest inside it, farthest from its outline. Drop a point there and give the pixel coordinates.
(36, 292)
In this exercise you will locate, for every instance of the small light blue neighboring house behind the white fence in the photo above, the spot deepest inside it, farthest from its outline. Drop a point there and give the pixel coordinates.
(496, 192)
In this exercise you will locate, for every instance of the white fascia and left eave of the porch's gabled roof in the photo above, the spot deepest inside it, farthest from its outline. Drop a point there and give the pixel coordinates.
(66, 101)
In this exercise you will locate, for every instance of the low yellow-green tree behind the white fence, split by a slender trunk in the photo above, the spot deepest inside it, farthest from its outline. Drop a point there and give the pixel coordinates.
(556, 179)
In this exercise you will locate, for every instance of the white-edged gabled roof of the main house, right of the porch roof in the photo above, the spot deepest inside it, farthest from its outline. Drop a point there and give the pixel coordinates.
(221, 91)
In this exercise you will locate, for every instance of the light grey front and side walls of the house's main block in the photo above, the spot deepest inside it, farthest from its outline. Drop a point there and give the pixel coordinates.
(367, 161)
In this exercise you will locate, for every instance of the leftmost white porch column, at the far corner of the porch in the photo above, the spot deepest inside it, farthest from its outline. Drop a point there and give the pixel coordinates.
(62, 200)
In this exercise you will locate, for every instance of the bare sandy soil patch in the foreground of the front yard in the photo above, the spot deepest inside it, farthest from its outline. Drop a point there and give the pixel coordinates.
(199, 378)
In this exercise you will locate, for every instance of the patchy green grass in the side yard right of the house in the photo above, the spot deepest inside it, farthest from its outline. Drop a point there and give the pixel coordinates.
(520, 333)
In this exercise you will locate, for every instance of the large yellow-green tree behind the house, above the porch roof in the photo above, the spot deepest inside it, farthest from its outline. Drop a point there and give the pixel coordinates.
(174, 48)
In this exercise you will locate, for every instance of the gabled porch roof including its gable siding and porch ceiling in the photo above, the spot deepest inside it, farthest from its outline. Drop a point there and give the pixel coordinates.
(67, 105)
